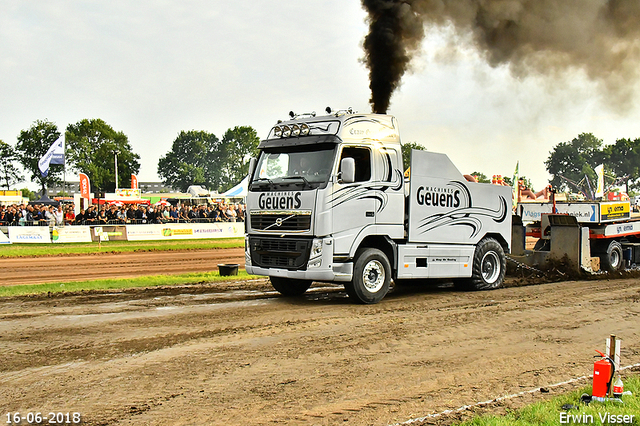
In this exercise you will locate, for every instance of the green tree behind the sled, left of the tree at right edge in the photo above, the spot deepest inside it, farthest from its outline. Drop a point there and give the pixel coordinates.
(572, 161)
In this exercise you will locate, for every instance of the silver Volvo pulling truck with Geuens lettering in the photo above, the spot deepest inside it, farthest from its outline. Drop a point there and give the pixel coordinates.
(328, 202)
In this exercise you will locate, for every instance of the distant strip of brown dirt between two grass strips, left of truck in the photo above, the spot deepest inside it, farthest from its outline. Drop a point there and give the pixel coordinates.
(111, 265)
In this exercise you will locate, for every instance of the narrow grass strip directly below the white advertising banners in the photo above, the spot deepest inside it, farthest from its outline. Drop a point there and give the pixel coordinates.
(26, 250)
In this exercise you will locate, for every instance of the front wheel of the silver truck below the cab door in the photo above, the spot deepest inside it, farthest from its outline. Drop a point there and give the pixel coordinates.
(371, 277)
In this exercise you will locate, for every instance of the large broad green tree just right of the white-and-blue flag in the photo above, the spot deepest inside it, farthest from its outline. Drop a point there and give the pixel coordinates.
(92, 146)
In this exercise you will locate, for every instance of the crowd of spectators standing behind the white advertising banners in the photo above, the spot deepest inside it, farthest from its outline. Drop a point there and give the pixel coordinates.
(113, 214)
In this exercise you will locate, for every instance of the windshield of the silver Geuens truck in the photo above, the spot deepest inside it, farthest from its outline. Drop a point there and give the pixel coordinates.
(307, 167)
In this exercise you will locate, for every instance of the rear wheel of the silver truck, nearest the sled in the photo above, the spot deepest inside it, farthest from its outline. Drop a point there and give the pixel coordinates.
(489, 265)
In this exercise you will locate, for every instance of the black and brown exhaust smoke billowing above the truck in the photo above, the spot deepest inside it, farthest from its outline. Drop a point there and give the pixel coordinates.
(547, 37)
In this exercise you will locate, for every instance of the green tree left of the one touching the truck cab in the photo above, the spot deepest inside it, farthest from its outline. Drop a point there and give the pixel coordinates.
(193, 160)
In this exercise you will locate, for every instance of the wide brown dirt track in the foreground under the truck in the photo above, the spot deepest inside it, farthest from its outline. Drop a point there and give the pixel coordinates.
(238, 354)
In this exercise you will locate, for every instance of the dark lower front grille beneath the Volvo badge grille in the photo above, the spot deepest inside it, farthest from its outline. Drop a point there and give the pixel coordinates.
(290, 253)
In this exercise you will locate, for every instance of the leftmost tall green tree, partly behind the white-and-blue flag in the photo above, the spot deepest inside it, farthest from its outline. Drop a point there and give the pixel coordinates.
(32, 145)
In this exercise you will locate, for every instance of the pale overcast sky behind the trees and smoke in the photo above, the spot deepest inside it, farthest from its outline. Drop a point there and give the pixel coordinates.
(154, 68)
